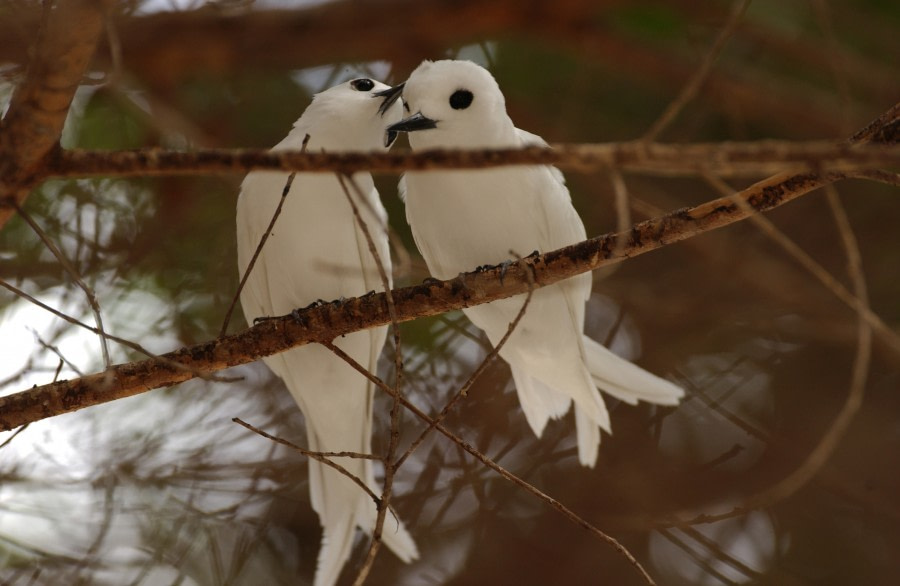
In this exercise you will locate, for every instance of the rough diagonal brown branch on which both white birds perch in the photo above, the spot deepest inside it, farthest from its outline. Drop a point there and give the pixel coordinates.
(326, 322)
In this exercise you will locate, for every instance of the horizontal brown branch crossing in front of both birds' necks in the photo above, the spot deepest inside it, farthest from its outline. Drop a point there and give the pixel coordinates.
(723, 159)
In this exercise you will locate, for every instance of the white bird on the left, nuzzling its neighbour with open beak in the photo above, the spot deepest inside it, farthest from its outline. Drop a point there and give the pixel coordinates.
(318, 251)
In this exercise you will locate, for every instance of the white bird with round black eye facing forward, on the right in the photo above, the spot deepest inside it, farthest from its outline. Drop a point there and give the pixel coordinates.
(461, 219)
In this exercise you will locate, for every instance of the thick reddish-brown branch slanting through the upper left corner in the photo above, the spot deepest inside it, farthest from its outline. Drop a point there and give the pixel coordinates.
(38, 108)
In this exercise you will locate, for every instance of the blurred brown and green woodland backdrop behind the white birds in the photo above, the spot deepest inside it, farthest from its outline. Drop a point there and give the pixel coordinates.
(163, 488)
